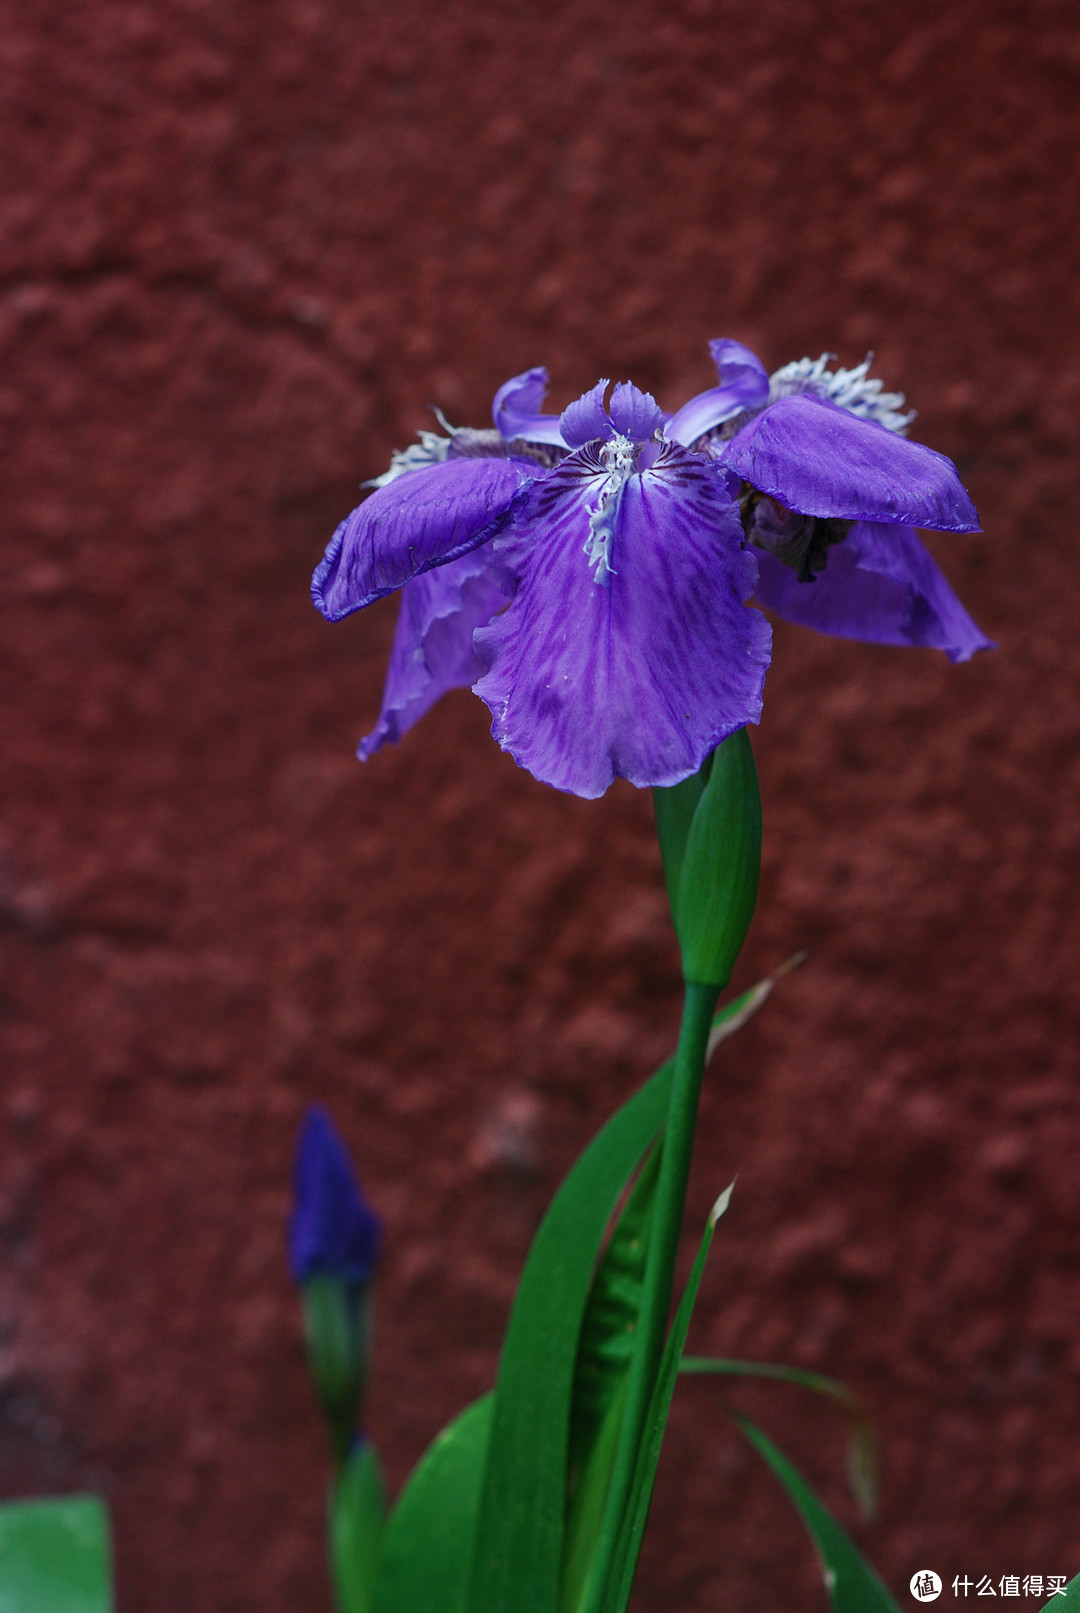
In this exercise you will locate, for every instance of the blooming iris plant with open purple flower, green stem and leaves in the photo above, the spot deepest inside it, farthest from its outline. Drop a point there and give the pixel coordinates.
(591, 575)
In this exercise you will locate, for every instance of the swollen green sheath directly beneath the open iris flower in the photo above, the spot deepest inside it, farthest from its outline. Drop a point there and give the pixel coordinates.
(718, 883)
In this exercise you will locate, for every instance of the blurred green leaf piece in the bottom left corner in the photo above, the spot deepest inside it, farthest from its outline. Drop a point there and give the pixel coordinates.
(56, 1557)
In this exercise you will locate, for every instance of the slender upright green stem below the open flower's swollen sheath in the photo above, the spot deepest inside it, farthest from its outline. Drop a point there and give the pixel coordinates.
(660, 1270)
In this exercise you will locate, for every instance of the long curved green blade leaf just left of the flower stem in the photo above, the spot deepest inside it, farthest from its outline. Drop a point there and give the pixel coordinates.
(520, 1538)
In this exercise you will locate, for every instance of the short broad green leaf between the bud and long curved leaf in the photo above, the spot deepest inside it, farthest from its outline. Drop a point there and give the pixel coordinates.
(428, 1540)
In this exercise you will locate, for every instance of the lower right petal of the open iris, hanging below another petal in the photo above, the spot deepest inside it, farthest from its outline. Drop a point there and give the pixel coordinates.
(881, 585)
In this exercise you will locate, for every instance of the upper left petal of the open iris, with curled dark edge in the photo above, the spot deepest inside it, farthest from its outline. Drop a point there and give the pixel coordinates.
(415, 523)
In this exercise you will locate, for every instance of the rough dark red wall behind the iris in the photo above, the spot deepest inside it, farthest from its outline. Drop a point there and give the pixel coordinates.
(246, 246)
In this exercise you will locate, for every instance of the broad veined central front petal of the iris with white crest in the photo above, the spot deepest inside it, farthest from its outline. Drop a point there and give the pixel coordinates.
(646, 675)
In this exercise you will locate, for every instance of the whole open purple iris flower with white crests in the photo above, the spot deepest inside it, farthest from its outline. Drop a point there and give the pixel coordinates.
(589, 573)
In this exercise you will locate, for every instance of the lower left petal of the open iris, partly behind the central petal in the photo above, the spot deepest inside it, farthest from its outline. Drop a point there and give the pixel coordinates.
(433, 646)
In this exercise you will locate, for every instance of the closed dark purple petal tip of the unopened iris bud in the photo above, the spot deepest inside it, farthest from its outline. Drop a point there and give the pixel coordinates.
(334, 1232)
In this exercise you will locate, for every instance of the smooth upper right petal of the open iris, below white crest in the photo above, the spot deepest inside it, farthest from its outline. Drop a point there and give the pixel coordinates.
(825, 461)
